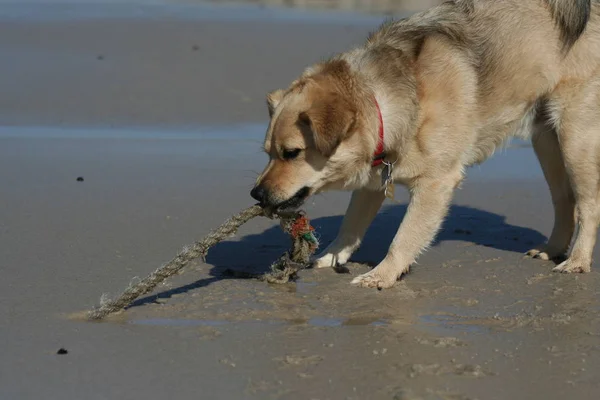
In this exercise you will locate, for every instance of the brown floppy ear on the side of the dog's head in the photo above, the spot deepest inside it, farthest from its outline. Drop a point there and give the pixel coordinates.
(331, 121)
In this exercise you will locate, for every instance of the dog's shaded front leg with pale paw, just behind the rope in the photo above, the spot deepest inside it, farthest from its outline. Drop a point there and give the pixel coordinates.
(361, 211)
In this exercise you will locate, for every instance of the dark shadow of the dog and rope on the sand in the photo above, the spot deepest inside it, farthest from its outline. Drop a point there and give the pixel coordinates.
(255, 253)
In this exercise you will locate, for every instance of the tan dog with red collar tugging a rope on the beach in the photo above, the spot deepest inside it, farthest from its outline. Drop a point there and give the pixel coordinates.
(428, 96)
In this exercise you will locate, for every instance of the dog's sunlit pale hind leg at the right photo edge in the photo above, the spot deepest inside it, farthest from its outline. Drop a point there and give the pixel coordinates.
(577, 116)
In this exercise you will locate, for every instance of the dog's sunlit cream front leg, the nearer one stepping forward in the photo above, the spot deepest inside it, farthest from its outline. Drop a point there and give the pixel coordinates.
(429, 203)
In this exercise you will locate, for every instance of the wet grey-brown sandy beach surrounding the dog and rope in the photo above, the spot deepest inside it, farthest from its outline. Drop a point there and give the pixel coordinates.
(167, 138)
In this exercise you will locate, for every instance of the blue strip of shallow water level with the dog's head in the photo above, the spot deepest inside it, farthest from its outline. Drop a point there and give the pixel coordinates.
(516, 161)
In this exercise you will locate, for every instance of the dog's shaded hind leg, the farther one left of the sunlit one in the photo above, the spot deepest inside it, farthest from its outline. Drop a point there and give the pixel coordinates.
(547, 148)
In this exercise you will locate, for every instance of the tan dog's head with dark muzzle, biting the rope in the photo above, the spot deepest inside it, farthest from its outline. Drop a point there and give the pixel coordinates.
(312, 139)
